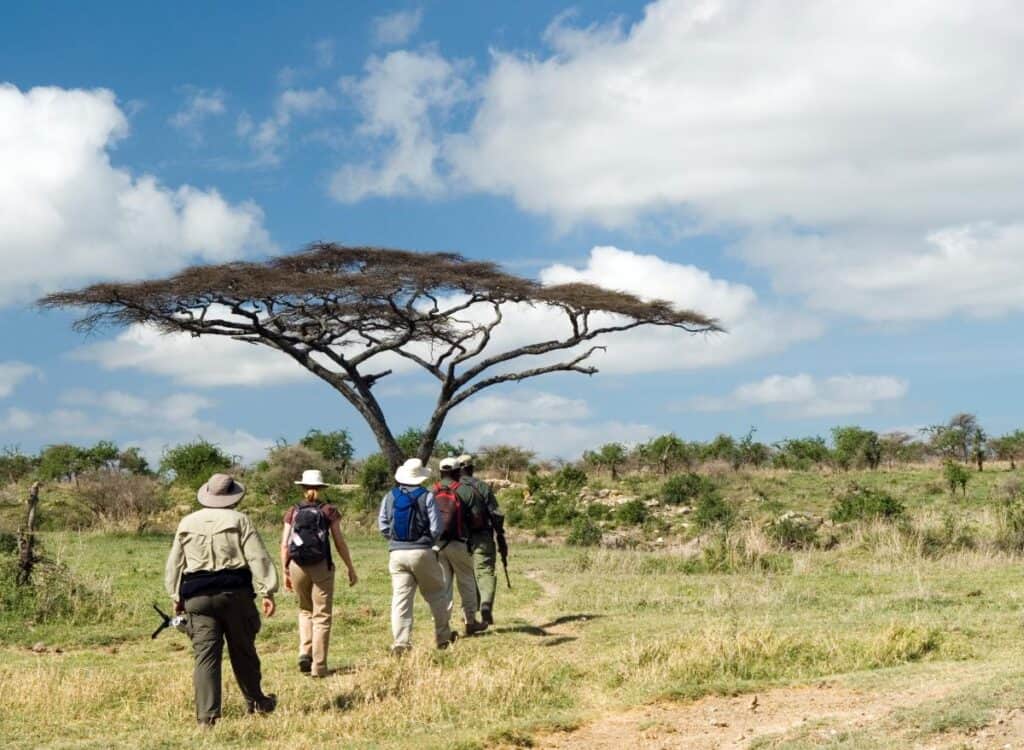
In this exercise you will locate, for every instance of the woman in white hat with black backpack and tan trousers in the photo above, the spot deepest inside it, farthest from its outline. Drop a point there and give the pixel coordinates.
(306, 558)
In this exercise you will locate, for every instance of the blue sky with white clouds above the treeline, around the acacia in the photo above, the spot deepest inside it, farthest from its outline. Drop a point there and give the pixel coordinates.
(842, 188)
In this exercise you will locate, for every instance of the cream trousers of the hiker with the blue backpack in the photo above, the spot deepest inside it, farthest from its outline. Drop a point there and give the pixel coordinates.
(412, 569)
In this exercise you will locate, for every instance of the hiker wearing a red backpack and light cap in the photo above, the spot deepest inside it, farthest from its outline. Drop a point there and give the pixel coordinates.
(456, 503)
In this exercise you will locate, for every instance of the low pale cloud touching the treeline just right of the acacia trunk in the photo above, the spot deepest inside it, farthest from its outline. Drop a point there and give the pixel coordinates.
(556, 440)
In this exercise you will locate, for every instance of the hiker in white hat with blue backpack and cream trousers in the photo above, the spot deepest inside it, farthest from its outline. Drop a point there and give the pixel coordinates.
(409, 520)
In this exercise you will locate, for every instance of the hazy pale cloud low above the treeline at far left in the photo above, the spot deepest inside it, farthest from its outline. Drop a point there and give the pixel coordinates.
(151, 424)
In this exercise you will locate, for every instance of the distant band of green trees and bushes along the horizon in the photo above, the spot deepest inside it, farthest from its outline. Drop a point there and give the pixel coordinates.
(961, 439)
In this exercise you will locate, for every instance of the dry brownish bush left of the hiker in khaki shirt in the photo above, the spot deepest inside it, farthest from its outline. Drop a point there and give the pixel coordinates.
(120, 499)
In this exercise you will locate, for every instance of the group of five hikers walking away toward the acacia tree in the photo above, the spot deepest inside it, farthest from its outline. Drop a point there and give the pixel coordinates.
(440, 539)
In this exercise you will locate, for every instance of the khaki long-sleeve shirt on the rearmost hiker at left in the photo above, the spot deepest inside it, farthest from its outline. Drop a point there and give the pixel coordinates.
(220, 539)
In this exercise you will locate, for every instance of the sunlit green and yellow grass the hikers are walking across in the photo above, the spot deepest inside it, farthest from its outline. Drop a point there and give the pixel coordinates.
(584, 633)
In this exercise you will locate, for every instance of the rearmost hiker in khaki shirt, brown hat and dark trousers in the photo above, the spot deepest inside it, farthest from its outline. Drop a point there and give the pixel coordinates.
(217, 568)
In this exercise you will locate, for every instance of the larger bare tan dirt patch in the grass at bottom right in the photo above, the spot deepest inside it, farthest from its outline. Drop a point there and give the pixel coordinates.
(736, 723)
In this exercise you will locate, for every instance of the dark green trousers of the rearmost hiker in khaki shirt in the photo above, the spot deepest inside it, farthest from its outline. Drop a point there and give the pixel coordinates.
(215, 618)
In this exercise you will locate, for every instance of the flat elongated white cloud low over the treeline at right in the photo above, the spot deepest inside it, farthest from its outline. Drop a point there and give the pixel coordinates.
(804, 396)
